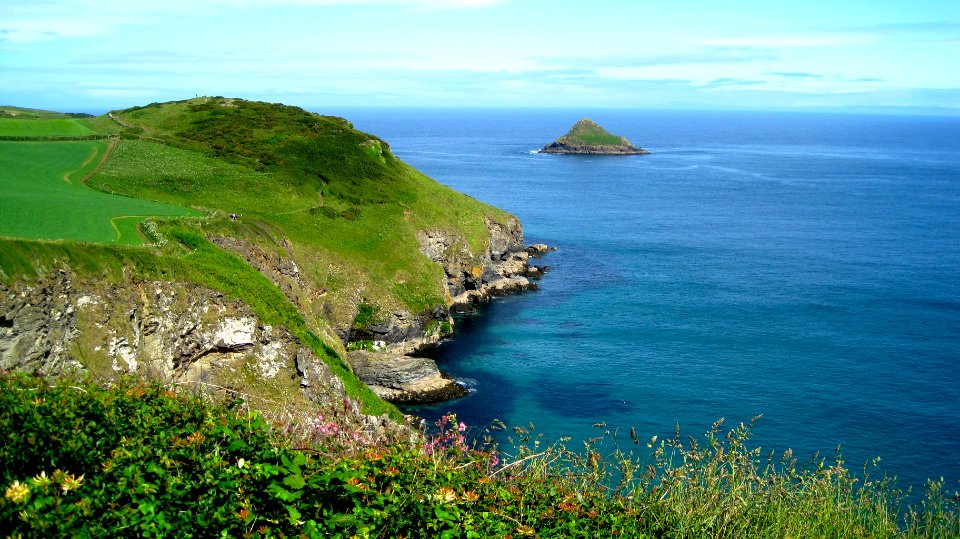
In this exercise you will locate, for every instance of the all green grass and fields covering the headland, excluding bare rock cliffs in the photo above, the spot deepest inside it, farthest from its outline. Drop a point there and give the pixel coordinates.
(307, 188)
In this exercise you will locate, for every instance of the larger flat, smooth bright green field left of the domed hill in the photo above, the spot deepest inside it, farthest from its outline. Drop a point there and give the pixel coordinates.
(42, 198)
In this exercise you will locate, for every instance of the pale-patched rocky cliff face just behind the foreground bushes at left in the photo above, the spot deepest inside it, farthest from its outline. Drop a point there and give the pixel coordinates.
(178, 333)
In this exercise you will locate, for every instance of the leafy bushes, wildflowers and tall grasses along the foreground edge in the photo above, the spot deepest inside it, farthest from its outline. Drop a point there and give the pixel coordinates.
(134, 459)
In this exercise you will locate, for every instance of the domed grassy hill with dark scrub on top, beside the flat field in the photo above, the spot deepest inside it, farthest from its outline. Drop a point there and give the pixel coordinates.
(350, 208)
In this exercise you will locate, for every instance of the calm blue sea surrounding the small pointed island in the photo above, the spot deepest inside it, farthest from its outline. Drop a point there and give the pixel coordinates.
(805, 267)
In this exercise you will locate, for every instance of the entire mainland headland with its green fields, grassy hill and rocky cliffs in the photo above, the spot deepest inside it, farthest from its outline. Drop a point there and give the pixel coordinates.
(304, 237)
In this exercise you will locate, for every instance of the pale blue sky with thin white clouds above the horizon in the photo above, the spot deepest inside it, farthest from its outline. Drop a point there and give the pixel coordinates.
(833, 55)
